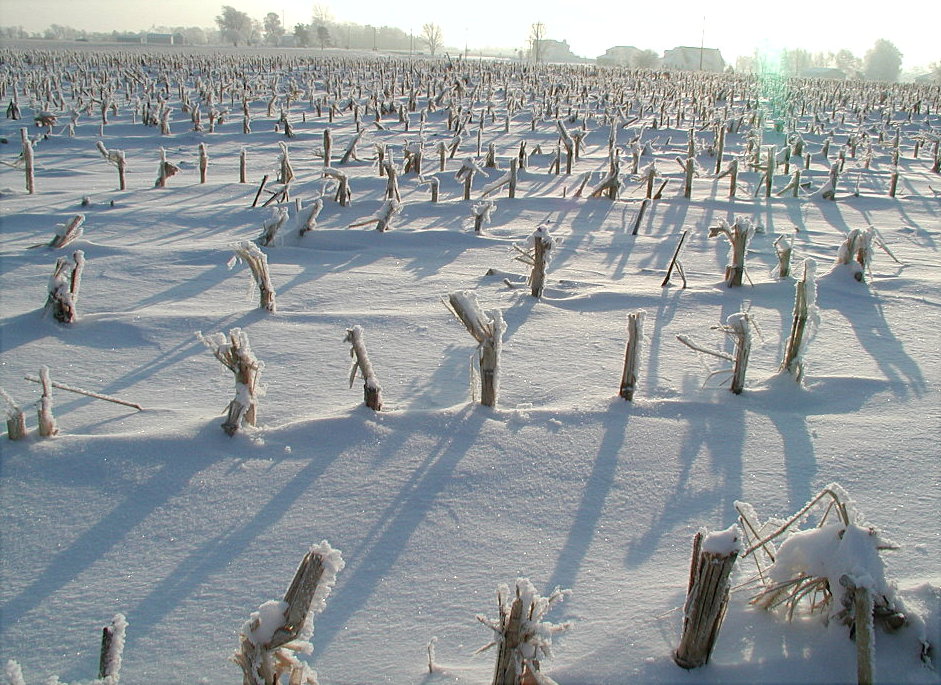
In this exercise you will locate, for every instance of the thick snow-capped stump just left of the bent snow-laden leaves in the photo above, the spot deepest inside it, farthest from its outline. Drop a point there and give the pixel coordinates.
(713, 558)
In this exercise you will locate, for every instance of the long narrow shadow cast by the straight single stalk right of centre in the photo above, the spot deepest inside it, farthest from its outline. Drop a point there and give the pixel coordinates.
(596, 489)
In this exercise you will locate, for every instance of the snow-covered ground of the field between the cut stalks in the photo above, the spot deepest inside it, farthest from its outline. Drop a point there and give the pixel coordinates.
(436, 500)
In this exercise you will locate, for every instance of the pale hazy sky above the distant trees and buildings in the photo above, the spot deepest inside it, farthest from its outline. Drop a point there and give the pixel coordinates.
(736, 28)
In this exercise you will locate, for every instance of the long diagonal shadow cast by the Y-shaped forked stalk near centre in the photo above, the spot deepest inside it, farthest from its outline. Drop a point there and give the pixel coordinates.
(382, 545)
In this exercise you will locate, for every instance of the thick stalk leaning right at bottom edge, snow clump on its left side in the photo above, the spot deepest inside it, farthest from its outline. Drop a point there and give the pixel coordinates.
(278, 631)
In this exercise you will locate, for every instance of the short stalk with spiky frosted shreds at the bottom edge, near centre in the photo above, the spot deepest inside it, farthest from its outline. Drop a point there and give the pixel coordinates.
(521, 634)
